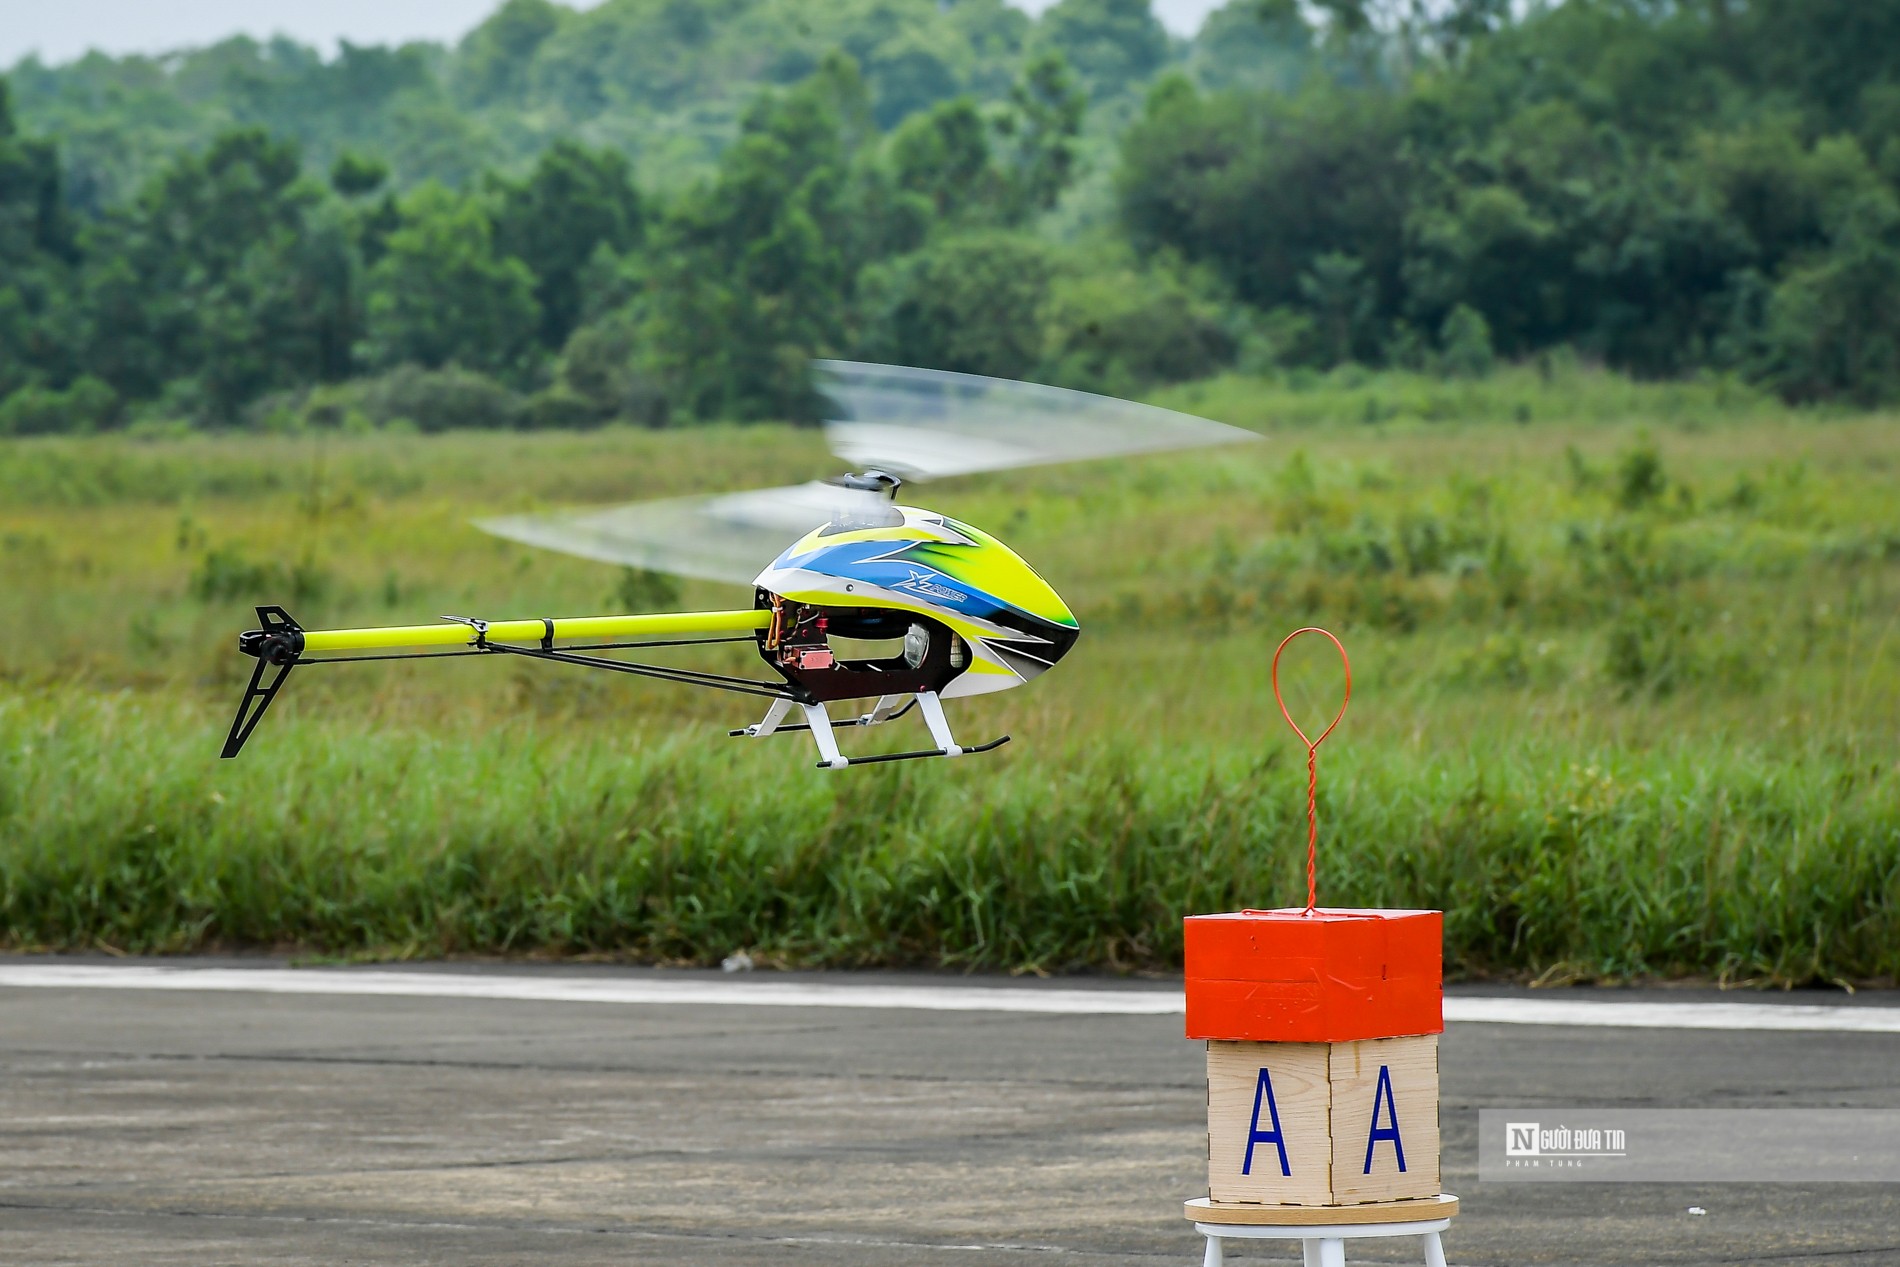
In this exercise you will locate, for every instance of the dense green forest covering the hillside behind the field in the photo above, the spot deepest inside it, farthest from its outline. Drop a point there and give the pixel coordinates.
(660, 210)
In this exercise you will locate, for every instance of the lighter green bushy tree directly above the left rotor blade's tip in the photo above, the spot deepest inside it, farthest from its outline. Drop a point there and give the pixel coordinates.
(444, 295)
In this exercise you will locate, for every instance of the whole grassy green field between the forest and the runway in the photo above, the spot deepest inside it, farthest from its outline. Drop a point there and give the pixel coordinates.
(1625, 690)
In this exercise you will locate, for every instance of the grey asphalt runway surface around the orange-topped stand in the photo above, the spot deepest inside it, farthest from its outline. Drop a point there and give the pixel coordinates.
(237, 1127)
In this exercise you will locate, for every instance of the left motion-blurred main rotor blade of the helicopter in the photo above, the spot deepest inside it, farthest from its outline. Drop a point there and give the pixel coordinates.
(721, 539)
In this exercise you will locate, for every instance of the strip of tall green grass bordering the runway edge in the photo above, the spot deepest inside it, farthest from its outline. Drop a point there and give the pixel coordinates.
(1747, 865)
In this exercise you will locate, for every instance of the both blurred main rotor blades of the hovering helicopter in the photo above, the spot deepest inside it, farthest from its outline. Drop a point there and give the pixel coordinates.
(917, 425)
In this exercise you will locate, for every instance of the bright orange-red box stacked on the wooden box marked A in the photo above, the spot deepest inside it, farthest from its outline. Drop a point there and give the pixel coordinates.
(1325, 977)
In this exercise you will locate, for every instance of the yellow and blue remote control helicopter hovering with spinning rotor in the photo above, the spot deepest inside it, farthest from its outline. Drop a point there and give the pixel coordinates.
(960, 613)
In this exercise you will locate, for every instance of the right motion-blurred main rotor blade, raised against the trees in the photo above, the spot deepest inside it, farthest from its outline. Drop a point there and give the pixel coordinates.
(932, 425)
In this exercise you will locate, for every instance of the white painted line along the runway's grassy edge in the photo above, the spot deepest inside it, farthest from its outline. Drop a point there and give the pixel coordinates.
(755, 993)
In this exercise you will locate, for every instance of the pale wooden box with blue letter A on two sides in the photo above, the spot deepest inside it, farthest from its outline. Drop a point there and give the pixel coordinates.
(1323, 1124)
